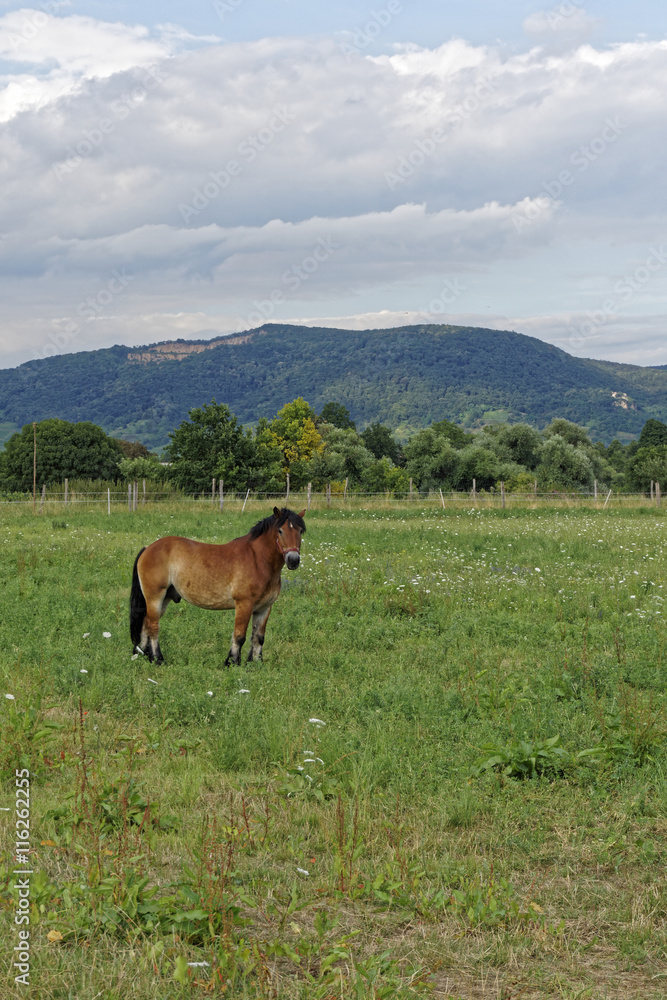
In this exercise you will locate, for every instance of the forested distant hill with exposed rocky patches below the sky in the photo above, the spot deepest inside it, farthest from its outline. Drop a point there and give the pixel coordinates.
(405, 378)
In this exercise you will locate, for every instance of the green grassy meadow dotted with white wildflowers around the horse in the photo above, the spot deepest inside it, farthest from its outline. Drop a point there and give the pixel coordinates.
(480, 813)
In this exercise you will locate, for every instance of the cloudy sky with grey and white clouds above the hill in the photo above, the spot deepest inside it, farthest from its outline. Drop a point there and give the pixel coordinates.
(181, 170)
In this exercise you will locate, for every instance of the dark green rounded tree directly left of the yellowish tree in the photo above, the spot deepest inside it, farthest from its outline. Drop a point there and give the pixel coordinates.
(210, 444)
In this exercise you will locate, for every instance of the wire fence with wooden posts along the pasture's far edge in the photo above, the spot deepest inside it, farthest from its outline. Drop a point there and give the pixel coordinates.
(135, 499)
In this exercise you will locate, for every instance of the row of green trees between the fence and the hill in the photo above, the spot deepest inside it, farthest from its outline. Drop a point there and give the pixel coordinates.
(327, 448)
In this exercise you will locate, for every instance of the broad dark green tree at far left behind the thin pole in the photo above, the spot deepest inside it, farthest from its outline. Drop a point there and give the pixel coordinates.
(64, 450)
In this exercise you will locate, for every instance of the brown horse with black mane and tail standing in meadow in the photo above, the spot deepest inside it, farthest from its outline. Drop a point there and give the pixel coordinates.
(243, 574)
